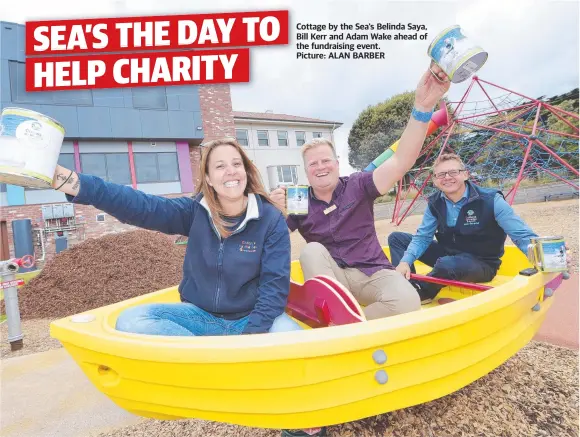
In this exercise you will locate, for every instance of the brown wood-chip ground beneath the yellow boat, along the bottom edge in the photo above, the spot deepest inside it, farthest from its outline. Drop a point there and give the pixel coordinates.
(533, 394)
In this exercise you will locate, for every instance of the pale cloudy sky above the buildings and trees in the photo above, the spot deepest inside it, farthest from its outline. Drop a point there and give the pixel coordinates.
(533, 48)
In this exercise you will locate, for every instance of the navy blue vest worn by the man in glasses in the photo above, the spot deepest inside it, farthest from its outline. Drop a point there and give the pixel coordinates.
(476, 231)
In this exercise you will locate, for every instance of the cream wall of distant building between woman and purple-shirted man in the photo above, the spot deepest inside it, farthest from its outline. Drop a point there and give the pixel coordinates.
(269, 158)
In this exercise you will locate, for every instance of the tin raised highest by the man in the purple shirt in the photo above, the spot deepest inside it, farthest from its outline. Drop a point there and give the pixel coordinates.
(457, 56)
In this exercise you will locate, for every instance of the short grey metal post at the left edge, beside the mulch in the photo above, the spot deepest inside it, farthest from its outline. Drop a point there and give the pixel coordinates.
(8, 270)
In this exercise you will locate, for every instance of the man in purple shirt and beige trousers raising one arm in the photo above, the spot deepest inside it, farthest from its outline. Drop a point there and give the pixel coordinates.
(339, 227)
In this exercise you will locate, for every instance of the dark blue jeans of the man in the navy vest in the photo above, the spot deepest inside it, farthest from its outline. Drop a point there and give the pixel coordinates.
(460, 267)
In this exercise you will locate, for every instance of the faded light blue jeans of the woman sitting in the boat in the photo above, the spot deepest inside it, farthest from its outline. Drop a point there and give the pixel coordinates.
(186, 319)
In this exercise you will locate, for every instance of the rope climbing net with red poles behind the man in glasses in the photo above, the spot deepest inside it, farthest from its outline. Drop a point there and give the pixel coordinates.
(504, 138)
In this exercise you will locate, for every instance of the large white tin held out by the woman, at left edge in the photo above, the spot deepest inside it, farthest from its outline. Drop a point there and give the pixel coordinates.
(30, 144)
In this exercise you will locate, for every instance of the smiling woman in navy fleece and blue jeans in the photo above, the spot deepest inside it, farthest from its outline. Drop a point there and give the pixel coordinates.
(236, 271)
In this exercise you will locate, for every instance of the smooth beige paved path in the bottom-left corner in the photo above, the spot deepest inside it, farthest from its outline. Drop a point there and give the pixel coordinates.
(47, 395)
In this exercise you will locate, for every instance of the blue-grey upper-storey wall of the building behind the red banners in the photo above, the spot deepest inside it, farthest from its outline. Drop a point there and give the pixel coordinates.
(170, 113)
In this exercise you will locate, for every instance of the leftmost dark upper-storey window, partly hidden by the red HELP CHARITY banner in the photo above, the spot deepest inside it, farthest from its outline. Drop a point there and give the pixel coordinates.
(16, 70)
